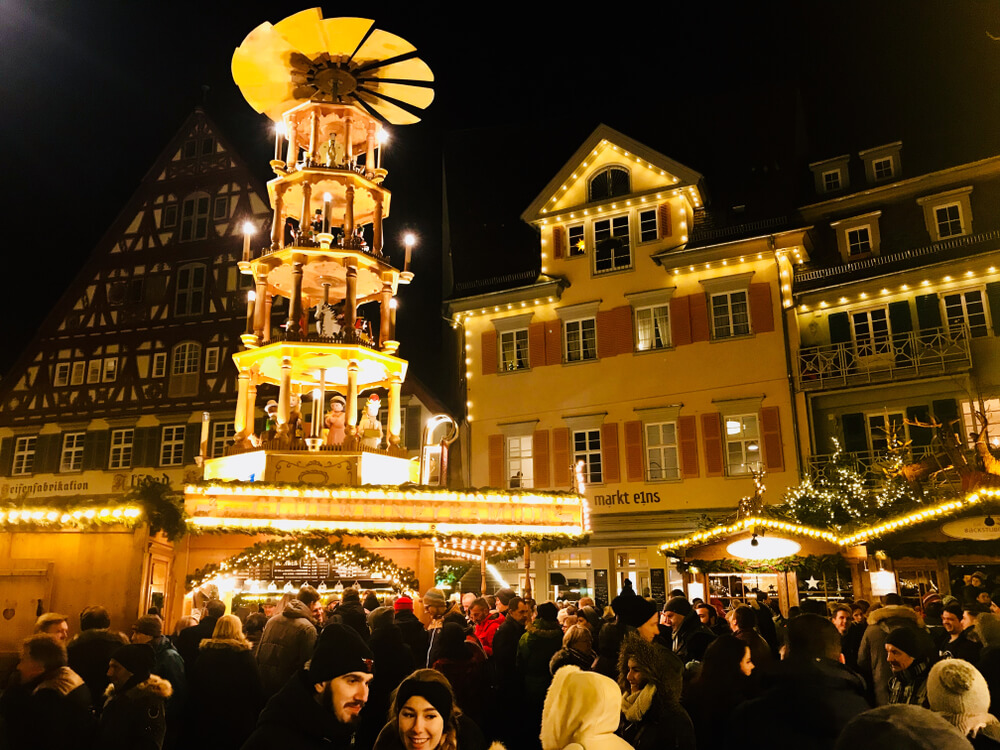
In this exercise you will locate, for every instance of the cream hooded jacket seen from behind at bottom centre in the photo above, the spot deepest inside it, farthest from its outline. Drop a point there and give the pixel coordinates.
(582, 711)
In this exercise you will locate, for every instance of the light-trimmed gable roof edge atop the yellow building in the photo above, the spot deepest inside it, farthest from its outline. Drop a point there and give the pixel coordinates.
(606, 137)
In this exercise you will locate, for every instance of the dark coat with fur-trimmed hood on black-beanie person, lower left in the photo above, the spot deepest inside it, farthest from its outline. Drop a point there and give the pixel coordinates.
(134, 718)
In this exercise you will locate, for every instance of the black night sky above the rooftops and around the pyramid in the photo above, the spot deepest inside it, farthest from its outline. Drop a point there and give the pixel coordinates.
(747, 94)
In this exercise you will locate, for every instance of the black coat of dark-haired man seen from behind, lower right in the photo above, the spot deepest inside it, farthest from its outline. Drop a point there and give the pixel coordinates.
(810, 700)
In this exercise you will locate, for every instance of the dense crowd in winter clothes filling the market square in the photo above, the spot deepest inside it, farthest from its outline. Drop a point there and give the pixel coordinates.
(502, 671)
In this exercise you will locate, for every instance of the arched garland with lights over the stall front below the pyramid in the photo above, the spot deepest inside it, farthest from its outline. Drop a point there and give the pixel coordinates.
(314, 548)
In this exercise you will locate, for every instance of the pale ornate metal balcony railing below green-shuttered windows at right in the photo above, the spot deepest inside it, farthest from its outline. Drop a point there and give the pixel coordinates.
(925, 353)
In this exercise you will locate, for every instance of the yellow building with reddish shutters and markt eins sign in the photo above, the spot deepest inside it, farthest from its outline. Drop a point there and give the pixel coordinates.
(647, 361)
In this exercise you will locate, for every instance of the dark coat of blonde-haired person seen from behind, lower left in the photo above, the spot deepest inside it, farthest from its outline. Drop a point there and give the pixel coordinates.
(227, 694)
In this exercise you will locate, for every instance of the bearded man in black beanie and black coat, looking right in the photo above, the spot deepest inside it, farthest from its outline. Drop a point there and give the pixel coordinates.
(320, 706)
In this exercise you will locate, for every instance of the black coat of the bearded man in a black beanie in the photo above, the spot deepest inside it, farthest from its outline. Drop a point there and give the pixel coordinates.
(293, 719)
